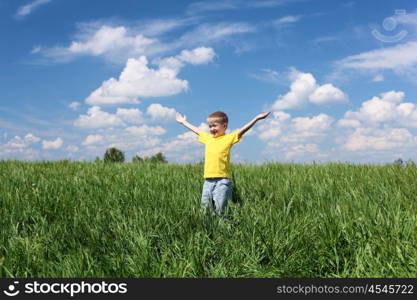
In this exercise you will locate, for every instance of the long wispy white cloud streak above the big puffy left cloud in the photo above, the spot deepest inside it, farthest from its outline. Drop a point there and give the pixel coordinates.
(117, 43)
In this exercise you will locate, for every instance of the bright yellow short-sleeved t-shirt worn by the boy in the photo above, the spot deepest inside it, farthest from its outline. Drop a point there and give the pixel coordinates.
(217, 153)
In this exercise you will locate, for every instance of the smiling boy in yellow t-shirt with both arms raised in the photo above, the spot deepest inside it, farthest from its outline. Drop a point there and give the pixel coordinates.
(217, 188)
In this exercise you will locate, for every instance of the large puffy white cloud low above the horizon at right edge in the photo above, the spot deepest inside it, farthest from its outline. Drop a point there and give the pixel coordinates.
(380, 127)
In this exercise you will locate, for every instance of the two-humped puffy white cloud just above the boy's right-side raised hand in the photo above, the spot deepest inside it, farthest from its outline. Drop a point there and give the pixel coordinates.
(304, 89)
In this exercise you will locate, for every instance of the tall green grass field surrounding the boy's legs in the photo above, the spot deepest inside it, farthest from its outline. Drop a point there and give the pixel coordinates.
(73, 219)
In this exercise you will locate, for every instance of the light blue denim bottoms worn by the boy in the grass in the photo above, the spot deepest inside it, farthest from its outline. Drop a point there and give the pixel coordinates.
(216, 192)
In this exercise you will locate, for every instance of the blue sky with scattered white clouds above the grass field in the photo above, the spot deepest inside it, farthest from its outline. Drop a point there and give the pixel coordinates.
(78, 77)
